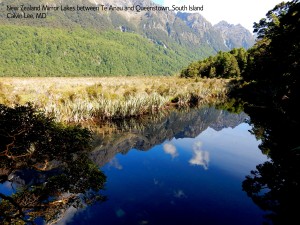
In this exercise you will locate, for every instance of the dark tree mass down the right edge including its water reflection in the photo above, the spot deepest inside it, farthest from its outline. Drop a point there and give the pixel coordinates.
(273, 105)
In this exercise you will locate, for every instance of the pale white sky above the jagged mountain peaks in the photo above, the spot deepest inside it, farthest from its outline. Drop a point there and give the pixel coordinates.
(242, 12)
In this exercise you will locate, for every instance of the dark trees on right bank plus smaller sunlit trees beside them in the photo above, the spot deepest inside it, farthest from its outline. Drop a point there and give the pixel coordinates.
(269, 71)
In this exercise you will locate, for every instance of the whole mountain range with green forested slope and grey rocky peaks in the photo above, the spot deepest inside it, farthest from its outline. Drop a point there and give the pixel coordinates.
(105, 42)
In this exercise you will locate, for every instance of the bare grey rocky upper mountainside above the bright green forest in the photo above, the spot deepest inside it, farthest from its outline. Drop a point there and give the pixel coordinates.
(189, 31)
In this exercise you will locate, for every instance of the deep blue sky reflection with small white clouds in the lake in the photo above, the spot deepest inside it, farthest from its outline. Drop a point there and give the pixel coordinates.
(181, 181)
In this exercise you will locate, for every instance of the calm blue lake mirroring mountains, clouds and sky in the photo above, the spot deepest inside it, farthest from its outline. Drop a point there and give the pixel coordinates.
(184, 167)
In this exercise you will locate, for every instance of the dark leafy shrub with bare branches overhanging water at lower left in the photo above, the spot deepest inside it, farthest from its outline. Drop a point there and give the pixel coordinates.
(48, 165)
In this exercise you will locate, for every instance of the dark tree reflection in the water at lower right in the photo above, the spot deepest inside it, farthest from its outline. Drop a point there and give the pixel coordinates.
(274, 185)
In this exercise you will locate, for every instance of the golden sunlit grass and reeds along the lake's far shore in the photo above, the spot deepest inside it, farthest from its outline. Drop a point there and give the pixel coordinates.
(79, 99)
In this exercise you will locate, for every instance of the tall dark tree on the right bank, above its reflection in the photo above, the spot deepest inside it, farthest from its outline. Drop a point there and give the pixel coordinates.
(275, 60)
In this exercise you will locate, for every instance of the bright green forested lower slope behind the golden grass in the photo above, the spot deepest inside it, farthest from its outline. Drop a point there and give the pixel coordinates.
(37, 51)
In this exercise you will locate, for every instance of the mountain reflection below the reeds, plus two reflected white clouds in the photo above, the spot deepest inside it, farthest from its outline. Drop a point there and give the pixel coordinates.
(144, 134)
